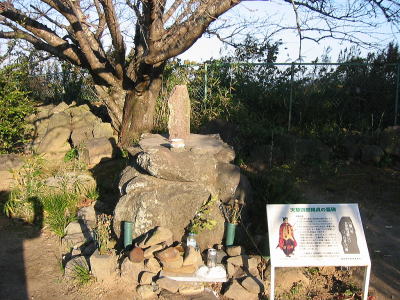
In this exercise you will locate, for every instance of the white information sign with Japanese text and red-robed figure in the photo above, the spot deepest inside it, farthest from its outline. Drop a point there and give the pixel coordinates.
(305, 235)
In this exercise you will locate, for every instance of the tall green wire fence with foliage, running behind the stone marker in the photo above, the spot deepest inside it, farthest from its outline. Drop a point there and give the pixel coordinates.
(352, 95)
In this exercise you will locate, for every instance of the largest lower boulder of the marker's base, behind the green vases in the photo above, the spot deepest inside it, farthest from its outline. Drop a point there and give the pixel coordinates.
(156, 202)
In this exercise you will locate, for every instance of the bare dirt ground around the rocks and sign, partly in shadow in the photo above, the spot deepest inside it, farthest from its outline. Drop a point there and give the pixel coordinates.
(30, 260)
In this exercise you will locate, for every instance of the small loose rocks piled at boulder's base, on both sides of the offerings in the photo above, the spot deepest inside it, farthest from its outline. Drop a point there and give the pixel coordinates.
(149, 268)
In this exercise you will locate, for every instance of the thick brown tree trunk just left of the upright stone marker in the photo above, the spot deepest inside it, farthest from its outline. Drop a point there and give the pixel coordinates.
(139, 110)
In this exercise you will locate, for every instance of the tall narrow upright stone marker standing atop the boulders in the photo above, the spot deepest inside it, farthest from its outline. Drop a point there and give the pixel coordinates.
(179, 113)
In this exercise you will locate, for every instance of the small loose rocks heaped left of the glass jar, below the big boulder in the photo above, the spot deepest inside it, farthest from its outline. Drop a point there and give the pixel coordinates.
(142, 268)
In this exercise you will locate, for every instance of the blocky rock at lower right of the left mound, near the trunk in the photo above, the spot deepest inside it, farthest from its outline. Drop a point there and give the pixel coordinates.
(95, 150)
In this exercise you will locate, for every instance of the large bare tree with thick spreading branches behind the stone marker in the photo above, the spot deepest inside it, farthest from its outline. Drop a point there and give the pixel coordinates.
(124, 44)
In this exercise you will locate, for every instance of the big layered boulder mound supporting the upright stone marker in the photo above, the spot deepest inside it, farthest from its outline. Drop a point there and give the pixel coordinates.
(166, 188)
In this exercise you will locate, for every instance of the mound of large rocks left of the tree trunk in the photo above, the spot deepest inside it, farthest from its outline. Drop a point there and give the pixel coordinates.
(59, 128)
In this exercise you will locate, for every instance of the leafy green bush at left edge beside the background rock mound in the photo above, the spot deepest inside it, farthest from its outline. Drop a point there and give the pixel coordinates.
(15, 105)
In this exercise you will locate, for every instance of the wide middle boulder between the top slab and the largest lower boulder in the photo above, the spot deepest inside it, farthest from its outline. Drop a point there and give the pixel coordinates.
(178, 166)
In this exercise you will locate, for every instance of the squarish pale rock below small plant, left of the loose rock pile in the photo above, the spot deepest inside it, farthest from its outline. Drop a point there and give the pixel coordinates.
(102, 266)
